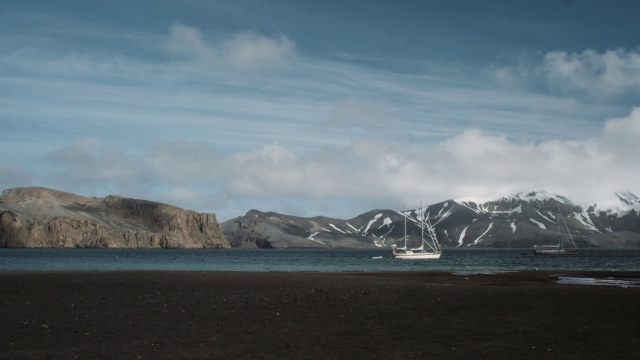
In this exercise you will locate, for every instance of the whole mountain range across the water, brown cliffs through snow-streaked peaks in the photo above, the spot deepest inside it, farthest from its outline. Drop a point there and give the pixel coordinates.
(41, 217)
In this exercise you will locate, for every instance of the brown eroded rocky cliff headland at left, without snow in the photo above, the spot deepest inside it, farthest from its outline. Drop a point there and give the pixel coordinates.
(40, 217)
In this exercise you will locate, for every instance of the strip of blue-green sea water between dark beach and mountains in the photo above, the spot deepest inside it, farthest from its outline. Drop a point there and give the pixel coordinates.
(316, 260)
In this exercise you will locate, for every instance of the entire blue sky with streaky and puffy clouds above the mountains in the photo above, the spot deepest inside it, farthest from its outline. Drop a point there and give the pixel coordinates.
(310, 108)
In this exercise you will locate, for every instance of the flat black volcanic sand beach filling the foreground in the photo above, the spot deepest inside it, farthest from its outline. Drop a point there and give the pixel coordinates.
(231, 315)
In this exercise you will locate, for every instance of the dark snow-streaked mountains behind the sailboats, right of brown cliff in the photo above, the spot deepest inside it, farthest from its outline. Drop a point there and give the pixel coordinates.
(517, 220)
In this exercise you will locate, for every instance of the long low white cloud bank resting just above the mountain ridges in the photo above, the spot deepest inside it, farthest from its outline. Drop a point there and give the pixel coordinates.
(192, 175)
